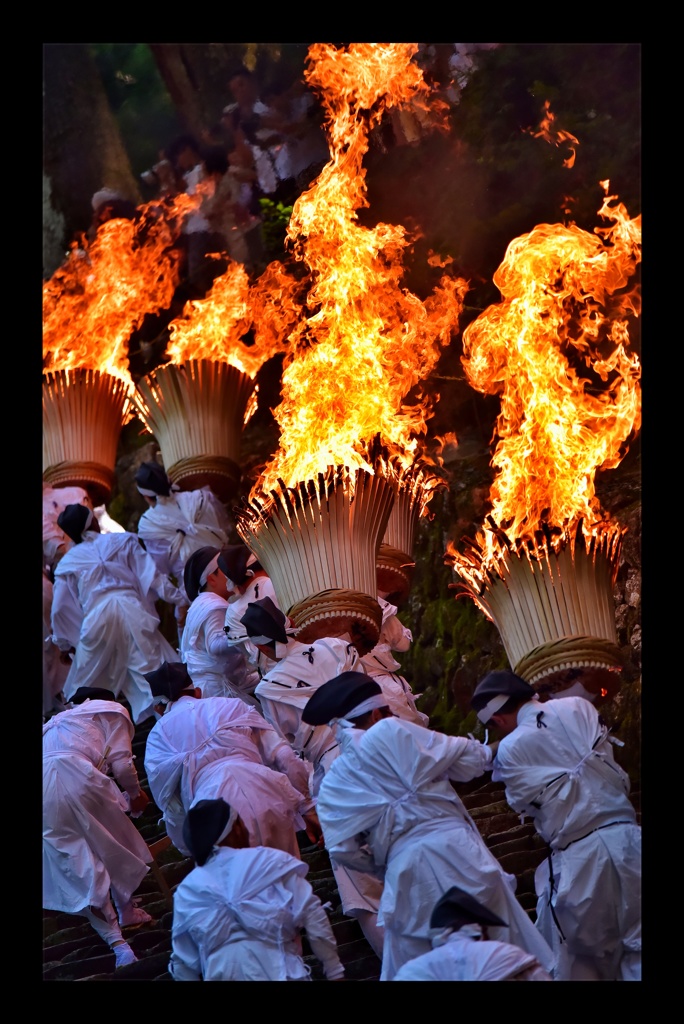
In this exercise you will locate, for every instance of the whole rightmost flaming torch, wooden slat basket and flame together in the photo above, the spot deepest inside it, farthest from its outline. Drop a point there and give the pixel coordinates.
(558, 351)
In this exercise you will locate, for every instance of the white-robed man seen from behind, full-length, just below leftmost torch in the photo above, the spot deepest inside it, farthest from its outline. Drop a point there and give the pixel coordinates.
(104, 612)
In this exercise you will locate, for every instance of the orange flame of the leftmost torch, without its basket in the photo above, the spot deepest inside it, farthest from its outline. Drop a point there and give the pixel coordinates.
(104, 290)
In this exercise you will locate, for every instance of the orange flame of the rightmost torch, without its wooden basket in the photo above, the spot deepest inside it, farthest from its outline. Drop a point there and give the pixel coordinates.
(558, 351)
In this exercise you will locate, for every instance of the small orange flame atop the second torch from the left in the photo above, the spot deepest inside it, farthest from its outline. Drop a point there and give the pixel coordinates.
(215, 328)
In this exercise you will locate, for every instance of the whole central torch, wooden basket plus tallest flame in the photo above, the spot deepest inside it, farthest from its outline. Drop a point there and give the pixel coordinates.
(319, 513)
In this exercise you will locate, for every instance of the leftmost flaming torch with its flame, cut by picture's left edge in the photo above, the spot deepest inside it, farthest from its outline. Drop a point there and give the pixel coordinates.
(91, 307)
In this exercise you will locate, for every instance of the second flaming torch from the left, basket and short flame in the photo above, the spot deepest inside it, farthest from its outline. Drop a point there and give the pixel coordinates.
(198, 404)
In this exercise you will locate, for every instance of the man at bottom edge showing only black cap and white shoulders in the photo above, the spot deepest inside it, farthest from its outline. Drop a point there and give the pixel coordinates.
(462, 950)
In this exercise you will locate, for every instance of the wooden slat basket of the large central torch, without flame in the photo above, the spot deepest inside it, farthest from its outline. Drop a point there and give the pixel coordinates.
(318, 541)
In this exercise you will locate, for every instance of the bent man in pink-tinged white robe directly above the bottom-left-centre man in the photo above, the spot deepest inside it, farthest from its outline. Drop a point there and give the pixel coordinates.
(202, 749)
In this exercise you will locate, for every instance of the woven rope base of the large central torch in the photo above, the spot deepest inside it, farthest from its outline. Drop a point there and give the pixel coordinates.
(333, 613)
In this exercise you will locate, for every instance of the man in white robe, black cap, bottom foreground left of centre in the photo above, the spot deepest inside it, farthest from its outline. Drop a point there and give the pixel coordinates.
(240, 914)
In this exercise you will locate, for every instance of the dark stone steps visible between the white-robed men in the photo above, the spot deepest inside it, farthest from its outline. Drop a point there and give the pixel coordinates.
(72, 952)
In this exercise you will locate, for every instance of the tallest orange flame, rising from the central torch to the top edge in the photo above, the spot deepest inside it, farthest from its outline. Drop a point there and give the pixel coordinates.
(367, 342)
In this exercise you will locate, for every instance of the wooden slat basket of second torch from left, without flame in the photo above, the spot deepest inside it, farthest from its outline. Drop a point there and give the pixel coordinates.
(197, 411)
